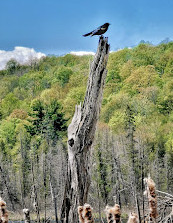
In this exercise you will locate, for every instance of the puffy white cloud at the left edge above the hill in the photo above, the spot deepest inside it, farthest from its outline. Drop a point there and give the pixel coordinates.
(22, 55)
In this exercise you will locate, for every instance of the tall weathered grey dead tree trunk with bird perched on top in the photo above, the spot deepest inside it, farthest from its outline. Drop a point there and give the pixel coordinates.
(81, 133)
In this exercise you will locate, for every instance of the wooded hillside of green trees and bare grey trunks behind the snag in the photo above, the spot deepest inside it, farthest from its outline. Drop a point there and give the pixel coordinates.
(134, 136)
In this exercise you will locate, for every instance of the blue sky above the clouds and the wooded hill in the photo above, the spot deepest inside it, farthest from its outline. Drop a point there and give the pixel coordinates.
(56, 26)
